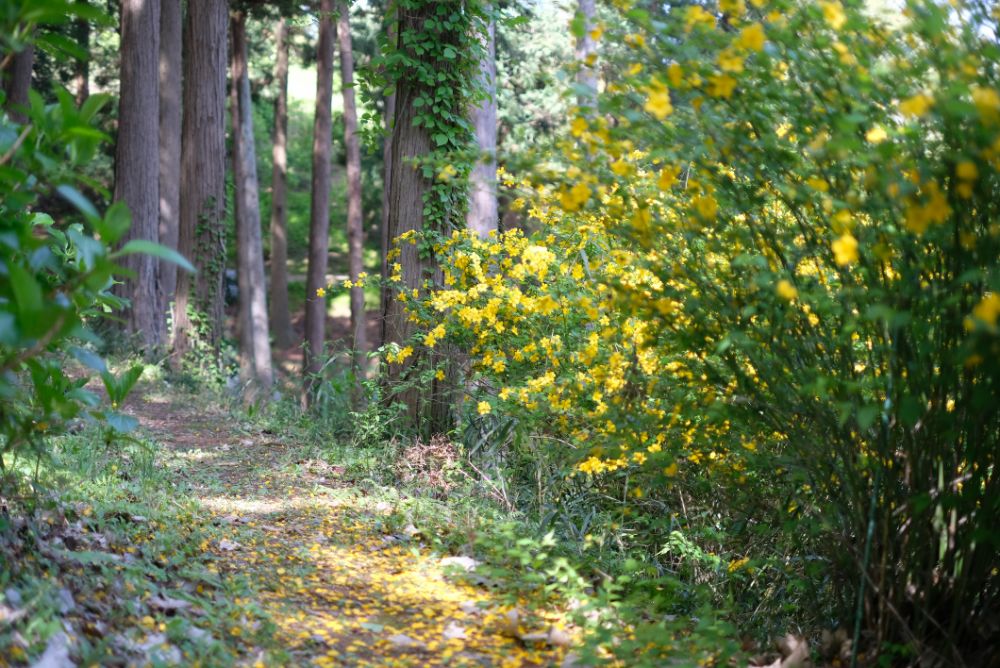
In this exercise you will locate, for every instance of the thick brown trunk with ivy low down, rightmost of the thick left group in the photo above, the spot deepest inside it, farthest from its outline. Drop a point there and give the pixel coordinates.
(203, 175)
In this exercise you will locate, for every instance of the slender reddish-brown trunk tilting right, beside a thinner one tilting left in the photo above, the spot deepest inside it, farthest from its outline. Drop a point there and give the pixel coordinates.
(319, 222)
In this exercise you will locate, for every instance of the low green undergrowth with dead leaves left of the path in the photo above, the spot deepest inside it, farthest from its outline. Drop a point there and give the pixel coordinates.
(103, 555)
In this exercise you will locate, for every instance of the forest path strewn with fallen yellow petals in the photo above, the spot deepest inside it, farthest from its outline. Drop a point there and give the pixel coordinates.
(340, 586)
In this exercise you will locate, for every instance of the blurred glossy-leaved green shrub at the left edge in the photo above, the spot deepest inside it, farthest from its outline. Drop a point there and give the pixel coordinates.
(55, 274)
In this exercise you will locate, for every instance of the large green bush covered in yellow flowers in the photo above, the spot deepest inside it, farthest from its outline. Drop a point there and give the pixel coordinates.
(766, 273)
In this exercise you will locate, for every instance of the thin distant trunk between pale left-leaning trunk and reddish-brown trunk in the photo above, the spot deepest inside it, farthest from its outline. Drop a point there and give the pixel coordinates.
(281, 322)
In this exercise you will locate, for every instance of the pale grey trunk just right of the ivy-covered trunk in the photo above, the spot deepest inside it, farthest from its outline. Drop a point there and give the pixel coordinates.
(482, 215)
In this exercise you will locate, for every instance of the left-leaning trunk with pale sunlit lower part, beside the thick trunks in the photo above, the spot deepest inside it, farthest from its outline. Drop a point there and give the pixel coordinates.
(255, 346)
